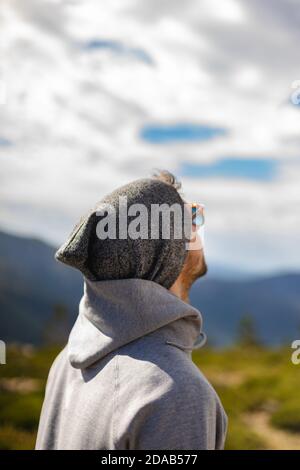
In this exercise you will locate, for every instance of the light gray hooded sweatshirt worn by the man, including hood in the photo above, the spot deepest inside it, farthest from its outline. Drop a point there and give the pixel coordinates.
(126, 380)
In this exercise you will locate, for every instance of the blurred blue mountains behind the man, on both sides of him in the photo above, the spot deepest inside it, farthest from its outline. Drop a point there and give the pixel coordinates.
(32, 284)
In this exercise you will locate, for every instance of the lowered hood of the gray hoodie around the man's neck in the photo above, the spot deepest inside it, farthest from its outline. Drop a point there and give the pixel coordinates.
(114, 313)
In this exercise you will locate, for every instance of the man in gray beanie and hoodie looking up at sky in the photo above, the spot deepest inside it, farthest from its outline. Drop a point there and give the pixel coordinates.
(126, 380)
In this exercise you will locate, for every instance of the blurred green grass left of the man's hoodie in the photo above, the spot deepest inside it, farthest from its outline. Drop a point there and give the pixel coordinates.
(22, 384)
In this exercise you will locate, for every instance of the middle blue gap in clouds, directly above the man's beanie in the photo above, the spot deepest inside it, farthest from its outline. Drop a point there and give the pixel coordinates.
(180, 132)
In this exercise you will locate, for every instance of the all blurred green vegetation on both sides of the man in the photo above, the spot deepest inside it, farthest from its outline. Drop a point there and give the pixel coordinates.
(259, 389)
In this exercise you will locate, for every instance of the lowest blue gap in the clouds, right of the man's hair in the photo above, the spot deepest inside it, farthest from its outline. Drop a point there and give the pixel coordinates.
(261, 169)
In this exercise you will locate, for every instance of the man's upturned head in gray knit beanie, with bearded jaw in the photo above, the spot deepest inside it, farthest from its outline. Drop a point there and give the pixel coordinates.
(99, 249)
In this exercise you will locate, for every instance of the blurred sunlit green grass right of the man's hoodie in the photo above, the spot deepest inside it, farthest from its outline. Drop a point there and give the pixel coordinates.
(250, 381)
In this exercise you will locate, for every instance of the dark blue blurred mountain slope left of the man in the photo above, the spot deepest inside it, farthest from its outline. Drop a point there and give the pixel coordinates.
(32, 283)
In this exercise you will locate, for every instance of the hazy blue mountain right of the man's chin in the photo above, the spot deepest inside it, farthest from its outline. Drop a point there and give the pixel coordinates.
(273, 303)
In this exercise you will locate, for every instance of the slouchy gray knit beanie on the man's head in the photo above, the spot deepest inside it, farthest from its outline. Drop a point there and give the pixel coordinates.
(159, 260)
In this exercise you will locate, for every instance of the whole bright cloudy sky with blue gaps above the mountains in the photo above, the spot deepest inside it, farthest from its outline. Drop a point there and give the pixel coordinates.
(95, 94)
